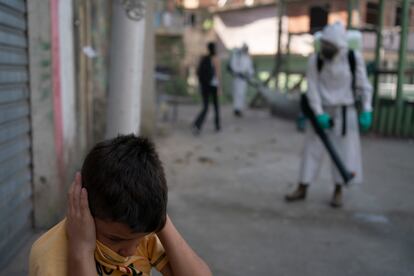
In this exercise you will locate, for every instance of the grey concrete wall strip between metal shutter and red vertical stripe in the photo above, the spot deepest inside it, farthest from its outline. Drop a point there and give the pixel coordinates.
(46, 182)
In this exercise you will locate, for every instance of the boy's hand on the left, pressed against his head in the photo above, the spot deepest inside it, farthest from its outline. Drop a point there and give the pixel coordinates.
(80, 223)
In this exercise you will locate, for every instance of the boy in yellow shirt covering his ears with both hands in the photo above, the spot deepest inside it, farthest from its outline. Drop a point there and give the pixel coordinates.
(116, 221)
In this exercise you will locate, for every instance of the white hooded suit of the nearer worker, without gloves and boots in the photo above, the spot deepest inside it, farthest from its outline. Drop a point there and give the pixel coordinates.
(329, 91)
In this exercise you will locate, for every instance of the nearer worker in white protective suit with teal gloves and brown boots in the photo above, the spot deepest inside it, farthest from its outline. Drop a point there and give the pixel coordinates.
(332, 92)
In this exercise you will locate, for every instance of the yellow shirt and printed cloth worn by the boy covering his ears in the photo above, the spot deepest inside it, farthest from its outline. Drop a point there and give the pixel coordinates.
(49, 256)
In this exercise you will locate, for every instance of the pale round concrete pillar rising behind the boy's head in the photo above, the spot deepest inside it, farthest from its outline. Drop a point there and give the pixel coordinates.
(126, 71)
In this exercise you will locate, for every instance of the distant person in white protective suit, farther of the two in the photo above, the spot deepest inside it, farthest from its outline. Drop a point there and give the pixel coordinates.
(241, 67)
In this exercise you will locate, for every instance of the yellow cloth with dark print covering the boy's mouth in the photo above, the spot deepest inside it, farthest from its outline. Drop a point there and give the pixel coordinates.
(113, 261)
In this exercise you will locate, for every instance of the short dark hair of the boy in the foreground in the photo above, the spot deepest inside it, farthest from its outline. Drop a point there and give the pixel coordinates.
(126, 183)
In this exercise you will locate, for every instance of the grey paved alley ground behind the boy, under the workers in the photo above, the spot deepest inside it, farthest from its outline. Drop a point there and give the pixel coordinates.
(226, 198)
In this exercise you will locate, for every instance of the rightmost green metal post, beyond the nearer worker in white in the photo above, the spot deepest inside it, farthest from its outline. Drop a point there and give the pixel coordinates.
(401, 66)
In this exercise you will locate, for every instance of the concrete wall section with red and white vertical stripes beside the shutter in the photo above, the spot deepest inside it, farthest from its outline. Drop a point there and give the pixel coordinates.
(53, 105)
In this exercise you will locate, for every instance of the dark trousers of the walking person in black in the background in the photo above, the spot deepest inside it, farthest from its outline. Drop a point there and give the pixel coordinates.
(207, 92)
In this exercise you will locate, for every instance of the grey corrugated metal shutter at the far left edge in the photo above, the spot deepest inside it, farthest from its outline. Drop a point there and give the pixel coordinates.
(15, 173)
